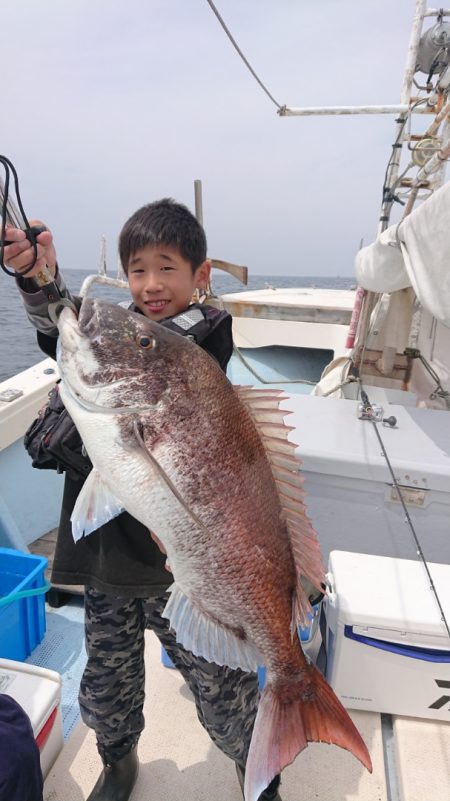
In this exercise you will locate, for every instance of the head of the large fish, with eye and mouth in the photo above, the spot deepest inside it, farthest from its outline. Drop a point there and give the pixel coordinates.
(111, 356)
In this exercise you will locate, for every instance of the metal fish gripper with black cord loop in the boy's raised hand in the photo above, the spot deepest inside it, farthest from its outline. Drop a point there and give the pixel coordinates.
(15, 215)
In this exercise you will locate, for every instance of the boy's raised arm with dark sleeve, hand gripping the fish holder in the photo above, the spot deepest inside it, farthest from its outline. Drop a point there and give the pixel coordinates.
(19, 255)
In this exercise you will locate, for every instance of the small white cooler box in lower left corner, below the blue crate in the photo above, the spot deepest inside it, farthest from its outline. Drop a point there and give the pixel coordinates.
(38, 691)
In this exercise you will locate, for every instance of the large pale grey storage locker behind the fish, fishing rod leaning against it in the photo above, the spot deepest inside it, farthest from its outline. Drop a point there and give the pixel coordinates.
(349, 494)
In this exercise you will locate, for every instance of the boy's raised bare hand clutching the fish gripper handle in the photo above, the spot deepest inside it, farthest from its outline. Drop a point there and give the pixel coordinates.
(20, 254)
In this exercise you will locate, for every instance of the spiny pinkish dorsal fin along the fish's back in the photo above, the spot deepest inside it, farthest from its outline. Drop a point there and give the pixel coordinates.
(263, 406)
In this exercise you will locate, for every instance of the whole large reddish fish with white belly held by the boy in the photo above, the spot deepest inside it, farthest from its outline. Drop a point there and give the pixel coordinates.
(209, 469)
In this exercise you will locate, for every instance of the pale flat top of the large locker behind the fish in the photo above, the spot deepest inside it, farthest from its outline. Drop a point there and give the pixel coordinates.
(347, 447)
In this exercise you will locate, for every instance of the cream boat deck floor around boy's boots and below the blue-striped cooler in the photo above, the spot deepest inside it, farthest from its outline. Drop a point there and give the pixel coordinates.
(411, 760)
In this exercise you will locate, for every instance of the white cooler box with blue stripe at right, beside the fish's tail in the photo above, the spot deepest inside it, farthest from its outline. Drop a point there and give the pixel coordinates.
(387, 648)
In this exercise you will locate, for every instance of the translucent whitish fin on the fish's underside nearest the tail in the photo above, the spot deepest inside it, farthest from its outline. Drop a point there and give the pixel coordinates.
(205, 637)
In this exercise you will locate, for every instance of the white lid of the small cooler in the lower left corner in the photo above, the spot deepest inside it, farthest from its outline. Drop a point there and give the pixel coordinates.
(36, 689)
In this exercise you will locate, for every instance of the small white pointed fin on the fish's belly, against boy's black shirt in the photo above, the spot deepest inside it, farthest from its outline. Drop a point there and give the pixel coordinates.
(94, 507)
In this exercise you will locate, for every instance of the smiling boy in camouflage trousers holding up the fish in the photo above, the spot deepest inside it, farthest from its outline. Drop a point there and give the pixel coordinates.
(162, 249)
